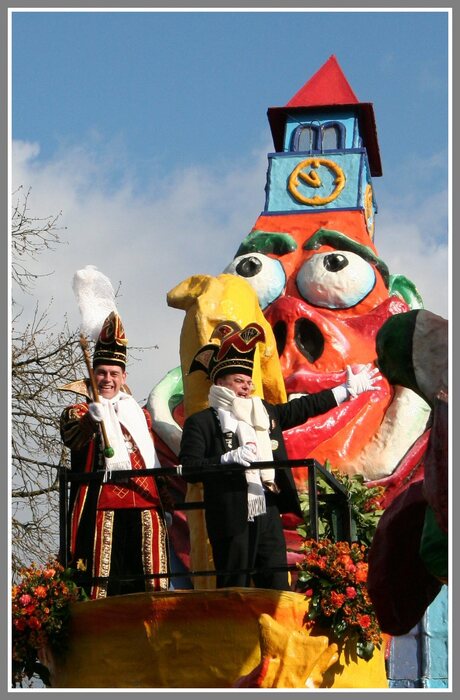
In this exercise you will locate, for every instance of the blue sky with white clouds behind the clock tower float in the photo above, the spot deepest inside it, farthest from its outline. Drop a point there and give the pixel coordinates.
(148, 130)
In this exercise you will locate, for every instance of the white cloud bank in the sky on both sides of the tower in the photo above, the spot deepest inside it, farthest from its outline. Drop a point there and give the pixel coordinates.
(185, 222)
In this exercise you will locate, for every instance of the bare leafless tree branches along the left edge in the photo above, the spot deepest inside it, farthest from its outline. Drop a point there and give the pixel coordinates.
(43, 359)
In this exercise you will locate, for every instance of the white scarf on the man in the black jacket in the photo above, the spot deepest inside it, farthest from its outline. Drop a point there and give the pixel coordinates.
(249, 420)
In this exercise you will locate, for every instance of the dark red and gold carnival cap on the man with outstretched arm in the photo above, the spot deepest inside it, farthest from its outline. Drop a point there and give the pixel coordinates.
(235, 354)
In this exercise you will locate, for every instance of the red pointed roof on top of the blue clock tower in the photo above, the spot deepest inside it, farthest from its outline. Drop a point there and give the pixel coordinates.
(328, 89)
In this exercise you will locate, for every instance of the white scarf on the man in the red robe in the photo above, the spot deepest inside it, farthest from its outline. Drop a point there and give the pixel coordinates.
(123, 409)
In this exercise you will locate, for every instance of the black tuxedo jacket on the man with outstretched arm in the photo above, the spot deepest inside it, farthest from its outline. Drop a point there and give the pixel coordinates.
(225, 493)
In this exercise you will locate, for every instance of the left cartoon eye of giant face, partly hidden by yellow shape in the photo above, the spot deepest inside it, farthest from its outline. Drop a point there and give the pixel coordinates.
(265, 275)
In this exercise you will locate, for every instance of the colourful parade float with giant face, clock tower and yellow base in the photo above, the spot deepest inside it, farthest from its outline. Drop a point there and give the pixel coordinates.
(309, 272)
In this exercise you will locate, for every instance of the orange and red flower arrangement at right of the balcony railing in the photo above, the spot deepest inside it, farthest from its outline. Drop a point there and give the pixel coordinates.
(334, 576)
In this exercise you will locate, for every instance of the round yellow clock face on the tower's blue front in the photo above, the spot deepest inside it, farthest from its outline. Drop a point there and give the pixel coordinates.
(316, 173)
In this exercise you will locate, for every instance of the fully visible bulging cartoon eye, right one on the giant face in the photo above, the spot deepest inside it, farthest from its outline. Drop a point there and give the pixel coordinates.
(335, 280)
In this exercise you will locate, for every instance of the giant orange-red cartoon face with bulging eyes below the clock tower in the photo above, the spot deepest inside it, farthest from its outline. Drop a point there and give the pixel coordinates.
(322, 288)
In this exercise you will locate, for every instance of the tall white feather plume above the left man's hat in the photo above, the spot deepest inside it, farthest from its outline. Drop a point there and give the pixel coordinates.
(95, 297)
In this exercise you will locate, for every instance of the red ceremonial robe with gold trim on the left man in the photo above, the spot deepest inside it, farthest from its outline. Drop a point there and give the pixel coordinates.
(115, 528)
